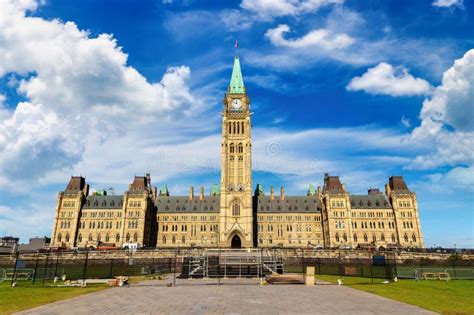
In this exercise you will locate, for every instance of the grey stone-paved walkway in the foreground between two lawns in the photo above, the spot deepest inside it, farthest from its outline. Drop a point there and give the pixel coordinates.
(234, 296)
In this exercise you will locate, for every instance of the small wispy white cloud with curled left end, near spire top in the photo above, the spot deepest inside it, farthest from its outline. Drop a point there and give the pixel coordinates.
(320, 38)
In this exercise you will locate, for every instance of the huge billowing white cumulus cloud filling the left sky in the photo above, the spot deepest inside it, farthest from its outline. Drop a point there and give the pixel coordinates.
(77, 88)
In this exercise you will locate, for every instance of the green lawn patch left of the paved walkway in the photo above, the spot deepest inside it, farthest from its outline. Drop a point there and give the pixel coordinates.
(26, 296)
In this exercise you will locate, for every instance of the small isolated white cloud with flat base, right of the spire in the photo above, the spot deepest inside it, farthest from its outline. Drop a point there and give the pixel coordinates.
(387, 80)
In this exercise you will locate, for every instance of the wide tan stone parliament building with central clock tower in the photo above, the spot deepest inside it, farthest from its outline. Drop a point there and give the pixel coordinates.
(232, 215)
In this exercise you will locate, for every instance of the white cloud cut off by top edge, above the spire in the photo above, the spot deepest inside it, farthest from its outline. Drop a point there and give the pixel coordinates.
(268, 9)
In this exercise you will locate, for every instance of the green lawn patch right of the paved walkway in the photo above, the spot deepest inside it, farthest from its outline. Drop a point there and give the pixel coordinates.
(452, 297)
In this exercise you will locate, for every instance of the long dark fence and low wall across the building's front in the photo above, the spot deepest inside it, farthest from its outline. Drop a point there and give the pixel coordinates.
(43, 267)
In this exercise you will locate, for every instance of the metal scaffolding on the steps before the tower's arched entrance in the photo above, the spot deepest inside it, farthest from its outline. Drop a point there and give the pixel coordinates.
(231, 263)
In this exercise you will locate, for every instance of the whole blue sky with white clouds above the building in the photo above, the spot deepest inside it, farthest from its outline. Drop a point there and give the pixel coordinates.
(359, 89)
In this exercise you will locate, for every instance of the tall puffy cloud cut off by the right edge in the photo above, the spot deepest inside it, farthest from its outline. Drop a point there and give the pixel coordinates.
(451, 104)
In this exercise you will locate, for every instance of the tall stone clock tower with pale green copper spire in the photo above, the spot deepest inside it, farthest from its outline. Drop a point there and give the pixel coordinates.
(236, 219)
